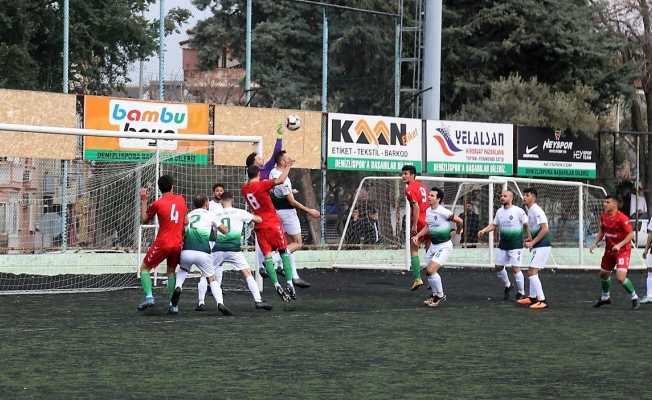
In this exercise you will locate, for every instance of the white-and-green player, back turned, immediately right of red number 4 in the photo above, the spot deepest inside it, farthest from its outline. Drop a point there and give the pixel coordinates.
(197, 251)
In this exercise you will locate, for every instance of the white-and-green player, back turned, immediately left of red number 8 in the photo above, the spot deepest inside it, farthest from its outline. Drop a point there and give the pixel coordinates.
(227, 247)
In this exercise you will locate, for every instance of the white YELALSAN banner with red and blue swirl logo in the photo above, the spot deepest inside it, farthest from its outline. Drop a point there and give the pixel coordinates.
(473, 148)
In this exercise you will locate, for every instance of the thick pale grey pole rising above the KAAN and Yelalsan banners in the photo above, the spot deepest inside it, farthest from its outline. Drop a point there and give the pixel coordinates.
(432, 60)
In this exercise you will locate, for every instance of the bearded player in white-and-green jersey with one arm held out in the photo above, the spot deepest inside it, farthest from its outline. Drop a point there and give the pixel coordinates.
(511, 222)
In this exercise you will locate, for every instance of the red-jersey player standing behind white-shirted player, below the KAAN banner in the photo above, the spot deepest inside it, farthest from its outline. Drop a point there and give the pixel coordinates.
(417, 196)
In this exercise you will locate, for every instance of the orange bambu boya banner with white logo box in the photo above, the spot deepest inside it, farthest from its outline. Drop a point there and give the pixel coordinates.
(126, 115)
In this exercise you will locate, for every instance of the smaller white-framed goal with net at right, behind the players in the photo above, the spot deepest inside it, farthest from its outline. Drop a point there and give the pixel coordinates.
(375, 237)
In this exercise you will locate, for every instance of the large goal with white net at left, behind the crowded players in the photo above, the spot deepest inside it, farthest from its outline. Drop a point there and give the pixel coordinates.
(74, 225)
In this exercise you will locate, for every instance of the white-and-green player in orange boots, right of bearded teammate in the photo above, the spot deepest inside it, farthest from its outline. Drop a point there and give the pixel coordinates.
(539, 244)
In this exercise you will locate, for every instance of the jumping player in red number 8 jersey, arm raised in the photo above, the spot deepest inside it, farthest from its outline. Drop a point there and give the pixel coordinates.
(269, 233)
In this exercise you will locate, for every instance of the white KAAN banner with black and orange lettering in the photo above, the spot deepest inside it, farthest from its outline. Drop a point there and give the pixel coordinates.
(373, 143)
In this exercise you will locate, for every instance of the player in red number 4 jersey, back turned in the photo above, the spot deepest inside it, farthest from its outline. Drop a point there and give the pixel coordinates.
(171, 211)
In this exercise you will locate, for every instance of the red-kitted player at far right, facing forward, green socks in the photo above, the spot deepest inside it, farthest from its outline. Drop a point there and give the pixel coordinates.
(615, 227)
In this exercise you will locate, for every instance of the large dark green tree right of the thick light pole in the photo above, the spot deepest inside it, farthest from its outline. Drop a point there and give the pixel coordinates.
(556, 41)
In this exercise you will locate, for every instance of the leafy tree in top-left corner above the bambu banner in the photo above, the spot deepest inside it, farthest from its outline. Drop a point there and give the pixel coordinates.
(105, 38)
